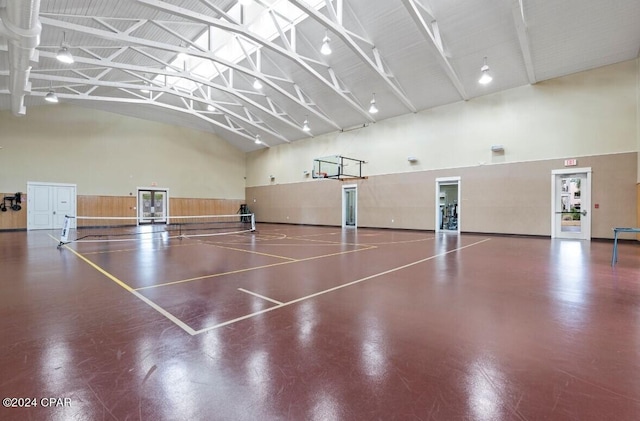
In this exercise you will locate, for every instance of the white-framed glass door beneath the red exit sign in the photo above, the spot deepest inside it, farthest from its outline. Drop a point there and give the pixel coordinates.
(571, 203)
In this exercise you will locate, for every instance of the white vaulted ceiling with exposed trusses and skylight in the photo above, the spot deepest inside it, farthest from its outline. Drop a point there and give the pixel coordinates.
(408, 55)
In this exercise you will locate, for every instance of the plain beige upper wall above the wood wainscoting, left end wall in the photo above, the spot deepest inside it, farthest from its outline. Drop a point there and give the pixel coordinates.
(111, 155)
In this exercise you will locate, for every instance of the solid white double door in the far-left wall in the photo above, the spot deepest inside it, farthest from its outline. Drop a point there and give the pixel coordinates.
(48, 204)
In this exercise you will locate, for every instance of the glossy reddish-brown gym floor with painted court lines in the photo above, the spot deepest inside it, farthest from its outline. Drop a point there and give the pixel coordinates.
(316, 323)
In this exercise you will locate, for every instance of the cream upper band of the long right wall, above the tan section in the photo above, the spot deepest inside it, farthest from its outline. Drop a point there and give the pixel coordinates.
(588, 113)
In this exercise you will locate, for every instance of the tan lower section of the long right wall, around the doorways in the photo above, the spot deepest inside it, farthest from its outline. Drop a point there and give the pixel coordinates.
(506, 199)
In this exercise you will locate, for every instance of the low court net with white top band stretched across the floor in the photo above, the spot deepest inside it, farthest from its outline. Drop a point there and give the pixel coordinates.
(102, 229)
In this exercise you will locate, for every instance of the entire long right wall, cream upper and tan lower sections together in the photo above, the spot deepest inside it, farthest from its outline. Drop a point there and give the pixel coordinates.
(592, 116)
